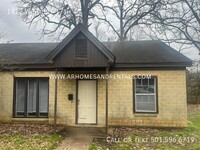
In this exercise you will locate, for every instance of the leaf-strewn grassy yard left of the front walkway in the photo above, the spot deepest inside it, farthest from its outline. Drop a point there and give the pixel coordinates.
(27, 137)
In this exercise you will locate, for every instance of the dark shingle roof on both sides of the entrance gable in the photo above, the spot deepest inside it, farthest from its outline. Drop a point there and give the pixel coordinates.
(136, 52)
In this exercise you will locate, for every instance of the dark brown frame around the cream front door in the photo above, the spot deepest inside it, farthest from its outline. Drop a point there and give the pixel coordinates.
(76, 115)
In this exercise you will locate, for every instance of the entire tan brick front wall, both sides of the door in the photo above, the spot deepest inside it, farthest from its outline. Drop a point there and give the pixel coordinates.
(171, 99)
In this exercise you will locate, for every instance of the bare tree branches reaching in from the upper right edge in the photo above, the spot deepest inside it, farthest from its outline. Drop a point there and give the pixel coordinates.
(177, 21)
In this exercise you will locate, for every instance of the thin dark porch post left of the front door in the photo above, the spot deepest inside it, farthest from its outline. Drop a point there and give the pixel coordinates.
(55, 101)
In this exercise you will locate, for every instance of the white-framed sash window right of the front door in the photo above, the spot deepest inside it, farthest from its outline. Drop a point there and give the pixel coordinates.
(145, 95)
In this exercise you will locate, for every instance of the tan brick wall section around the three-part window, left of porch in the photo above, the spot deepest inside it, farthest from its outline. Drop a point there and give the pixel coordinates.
(6, 91)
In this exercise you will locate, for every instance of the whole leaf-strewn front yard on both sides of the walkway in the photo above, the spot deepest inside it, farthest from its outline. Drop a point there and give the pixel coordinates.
(21, 136)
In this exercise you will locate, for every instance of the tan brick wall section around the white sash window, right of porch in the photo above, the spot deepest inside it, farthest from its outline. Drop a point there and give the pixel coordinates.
(171, 101)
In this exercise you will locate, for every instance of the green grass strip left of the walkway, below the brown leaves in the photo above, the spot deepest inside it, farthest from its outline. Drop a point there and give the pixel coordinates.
(29, 142)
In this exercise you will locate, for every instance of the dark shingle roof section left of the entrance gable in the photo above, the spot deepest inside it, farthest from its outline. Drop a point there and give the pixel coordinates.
(26, 53)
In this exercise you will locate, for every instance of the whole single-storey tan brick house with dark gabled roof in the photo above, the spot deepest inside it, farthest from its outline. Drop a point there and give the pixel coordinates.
(83, 82)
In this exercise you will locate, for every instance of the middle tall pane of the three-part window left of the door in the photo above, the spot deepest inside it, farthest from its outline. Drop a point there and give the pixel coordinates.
(32, 91)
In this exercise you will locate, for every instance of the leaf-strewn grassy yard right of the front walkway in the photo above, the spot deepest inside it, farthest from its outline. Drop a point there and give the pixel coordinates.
(155, 139)
